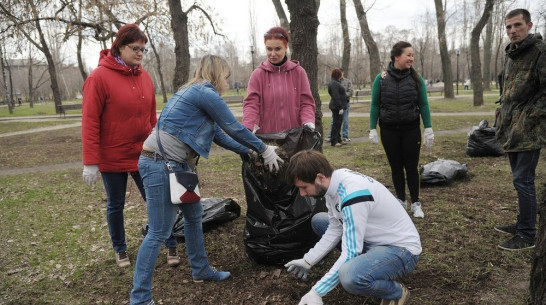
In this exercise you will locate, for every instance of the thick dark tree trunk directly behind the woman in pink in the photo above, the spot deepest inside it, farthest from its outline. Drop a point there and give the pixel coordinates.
(303, 28)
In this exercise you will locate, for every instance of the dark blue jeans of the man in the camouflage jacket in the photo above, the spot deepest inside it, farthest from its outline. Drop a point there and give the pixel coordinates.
(523, 166)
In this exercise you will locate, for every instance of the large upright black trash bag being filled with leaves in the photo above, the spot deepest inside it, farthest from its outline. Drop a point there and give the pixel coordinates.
(278, 219)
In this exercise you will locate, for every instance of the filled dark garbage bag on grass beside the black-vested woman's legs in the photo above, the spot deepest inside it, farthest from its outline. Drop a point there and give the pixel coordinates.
(442, 172)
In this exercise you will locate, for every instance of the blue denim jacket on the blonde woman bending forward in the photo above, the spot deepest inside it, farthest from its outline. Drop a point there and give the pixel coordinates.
(197, 115)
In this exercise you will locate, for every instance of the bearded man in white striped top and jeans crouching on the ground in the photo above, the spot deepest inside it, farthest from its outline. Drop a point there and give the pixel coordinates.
(379, 242)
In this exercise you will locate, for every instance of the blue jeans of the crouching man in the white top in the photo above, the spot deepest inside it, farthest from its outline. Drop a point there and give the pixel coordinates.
(373, 272)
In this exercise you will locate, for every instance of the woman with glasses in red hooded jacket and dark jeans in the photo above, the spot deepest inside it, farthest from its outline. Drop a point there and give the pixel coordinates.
(119, 112)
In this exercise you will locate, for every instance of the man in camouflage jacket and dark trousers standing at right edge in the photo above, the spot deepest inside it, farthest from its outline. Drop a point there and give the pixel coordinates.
(521, 121)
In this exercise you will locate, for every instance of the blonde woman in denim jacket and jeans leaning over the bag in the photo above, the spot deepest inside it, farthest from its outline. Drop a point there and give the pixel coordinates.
(192, 119)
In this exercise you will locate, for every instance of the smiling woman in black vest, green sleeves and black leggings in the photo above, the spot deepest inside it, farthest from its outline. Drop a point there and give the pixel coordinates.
(399, 101)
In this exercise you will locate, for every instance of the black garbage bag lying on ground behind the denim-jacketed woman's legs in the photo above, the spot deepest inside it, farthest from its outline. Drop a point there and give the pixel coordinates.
(215, 211)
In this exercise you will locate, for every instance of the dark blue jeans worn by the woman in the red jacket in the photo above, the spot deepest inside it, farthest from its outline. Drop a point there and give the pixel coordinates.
(115, 185)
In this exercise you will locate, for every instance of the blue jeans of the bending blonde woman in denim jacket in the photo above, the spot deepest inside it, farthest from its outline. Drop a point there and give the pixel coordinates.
(161, 218)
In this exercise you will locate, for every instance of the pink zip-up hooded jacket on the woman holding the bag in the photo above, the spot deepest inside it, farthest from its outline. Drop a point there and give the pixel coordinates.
(279, 98)
